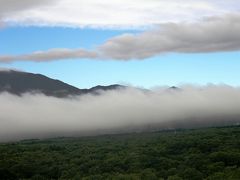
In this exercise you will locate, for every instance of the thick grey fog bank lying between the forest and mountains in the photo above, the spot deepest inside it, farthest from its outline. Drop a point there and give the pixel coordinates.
(38, 116)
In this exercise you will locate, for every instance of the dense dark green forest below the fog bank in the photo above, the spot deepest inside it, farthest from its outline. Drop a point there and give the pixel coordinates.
(210, 153)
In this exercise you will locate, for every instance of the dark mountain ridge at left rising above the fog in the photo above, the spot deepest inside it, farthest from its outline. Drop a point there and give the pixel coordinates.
(16, 82)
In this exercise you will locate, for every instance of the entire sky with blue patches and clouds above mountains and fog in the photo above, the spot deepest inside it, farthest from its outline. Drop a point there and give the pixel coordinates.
(141, 43)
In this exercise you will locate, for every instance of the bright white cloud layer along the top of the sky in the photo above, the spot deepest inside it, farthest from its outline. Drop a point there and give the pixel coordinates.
(114, 13)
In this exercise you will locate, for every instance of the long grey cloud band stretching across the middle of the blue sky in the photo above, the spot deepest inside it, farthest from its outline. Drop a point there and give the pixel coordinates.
(215, 34)
